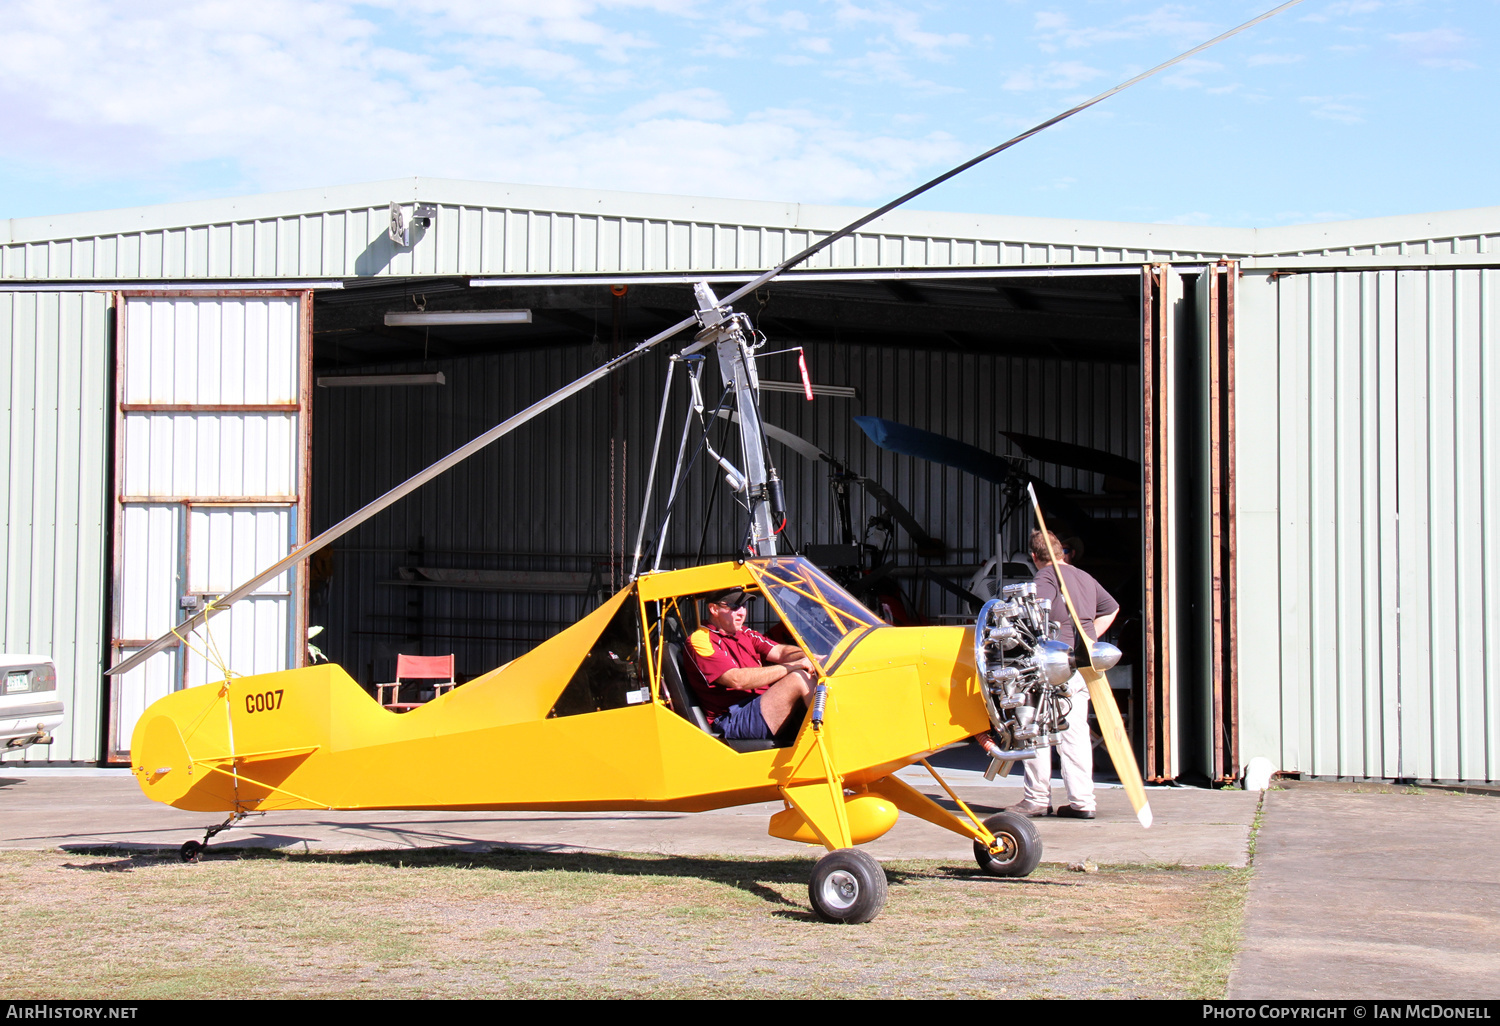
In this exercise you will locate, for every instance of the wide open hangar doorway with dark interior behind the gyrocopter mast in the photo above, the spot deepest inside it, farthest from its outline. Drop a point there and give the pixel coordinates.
(1043, 371)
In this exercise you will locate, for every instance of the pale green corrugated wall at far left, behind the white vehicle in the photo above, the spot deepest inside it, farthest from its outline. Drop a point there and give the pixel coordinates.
(53, 482)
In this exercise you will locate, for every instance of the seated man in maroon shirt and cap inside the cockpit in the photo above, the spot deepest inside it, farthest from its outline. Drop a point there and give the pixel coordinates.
(748, 685)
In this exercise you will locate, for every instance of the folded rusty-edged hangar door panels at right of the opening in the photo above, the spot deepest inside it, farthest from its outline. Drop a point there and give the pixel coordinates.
(1190, 713)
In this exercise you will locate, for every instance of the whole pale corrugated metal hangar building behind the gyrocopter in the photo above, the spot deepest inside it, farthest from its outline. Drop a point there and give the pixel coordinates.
(1282, 443)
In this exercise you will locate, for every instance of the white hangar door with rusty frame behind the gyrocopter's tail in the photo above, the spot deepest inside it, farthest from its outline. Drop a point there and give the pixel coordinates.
(211, 482)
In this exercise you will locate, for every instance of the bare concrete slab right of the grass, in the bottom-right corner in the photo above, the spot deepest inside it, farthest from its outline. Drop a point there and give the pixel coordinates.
(1366, 892)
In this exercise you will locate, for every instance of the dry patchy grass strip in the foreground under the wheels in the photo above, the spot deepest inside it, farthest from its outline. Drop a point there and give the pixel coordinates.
(529, 925)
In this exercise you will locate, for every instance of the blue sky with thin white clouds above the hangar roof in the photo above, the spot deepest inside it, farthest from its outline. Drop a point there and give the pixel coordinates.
(1337, 109)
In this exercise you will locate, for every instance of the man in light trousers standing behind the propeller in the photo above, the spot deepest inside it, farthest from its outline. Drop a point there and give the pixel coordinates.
(1097, 611)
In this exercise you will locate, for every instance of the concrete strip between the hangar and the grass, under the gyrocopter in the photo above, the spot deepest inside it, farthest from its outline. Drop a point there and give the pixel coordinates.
(43, 809)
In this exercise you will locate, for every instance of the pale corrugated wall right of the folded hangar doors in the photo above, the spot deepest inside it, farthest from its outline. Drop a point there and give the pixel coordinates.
(1388, 523)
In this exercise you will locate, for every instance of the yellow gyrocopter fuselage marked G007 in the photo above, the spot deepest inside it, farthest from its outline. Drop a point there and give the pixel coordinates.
(314, 739)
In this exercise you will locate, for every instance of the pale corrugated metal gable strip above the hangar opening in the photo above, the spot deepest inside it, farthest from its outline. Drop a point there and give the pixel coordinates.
(490, 241)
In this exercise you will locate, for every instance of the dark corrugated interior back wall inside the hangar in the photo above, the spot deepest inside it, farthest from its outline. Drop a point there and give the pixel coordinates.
(547, 490)
